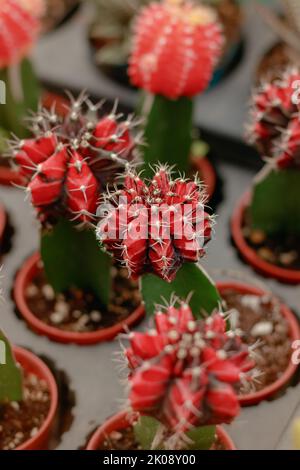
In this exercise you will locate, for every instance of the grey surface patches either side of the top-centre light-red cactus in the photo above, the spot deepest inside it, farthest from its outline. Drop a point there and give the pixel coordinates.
(65, 58)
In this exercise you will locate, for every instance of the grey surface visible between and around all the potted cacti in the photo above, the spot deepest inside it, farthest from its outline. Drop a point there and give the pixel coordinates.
(63, 59)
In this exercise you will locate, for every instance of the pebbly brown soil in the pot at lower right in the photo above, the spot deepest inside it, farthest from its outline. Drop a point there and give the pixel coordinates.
(262, 324)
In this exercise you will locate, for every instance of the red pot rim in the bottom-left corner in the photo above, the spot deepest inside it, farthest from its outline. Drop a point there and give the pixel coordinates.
(32, 364)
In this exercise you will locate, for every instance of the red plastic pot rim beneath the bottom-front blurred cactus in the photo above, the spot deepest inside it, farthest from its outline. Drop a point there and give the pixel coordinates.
(121, 421)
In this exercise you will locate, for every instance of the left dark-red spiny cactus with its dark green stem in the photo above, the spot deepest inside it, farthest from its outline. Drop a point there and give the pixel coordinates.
(66, 165)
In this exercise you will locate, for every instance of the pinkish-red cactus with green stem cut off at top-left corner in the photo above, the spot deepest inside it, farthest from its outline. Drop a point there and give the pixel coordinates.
(19, 29)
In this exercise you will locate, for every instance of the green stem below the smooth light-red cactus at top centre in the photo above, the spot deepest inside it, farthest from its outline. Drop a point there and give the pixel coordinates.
(168, 133)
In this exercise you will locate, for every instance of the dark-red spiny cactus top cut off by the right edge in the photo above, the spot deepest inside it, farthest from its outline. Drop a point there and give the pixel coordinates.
(275, 120)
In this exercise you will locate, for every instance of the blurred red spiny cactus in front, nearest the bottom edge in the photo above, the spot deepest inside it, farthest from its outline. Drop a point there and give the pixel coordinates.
(185, 374)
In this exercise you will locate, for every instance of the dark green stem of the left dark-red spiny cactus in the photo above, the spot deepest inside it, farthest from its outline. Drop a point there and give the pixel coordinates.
(72, 259)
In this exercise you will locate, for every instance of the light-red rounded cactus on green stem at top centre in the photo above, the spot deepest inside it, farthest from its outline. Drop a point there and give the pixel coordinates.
(176, 45)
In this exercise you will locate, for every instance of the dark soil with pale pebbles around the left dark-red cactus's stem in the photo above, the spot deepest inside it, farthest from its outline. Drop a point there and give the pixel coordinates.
(77, 311)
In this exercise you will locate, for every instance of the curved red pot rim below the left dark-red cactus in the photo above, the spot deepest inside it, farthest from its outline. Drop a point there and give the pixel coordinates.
(25, 275)
